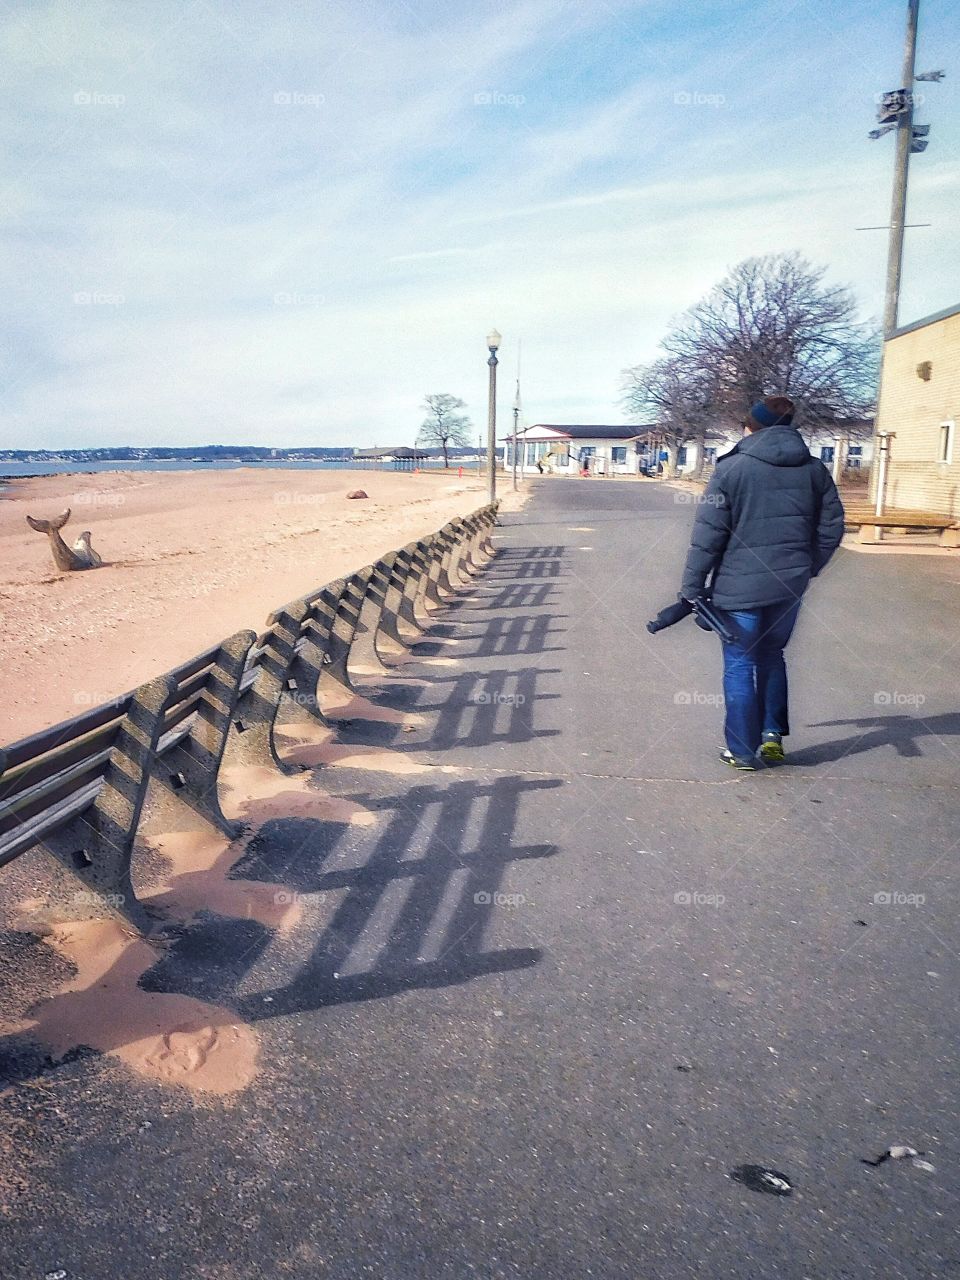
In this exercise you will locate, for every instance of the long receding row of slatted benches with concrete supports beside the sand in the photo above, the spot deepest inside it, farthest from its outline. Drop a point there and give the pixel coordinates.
(85, 789)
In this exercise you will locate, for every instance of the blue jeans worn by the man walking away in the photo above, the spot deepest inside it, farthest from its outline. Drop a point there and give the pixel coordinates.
(756, 675)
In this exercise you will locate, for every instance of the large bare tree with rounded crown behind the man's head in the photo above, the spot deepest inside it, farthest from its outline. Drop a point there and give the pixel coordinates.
(771, 327)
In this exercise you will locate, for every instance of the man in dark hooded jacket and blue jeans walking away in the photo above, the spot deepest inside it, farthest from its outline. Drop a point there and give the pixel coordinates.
(769, 523)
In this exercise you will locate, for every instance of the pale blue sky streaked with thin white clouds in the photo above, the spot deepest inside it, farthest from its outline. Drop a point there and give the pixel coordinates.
(286, 223)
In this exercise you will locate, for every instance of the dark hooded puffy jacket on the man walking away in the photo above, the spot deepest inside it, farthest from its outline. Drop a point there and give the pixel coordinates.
(769, 523)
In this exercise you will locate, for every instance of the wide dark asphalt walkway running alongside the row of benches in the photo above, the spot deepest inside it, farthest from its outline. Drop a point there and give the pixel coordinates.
(574, 975)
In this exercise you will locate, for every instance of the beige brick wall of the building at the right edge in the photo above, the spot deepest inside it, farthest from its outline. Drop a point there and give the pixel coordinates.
(916, 410)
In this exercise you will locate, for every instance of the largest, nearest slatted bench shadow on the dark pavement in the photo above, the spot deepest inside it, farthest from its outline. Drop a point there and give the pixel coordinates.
(412, 916)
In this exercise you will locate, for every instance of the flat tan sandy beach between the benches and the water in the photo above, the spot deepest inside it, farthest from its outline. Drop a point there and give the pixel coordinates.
(190, 557)
